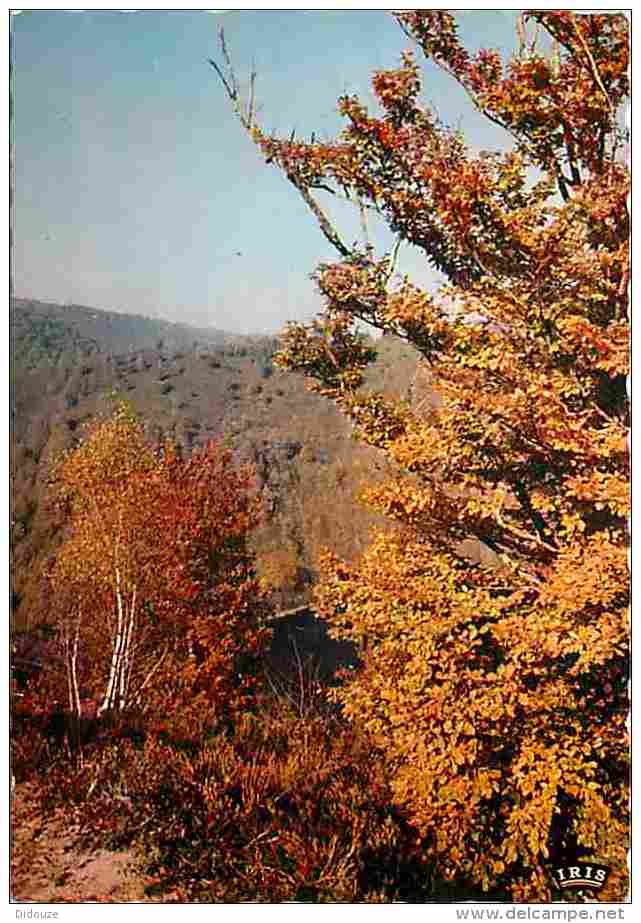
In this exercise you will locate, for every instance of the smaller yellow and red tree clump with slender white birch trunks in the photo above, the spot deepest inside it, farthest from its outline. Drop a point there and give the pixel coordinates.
(154, 578)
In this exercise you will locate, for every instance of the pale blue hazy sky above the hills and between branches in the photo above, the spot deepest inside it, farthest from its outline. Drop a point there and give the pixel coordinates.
(135, 189)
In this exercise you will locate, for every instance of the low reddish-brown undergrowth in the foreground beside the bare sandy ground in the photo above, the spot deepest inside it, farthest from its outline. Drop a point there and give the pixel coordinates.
(282, 807)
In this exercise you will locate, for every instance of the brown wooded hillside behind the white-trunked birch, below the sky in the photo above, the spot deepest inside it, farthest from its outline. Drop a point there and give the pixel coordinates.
(70, 364)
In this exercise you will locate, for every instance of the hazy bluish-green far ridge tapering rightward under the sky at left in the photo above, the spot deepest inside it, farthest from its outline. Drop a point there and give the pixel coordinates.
(47, 333)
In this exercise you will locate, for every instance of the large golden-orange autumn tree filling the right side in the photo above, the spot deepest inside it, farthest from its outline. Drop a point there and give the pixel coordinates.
(497, 692)
